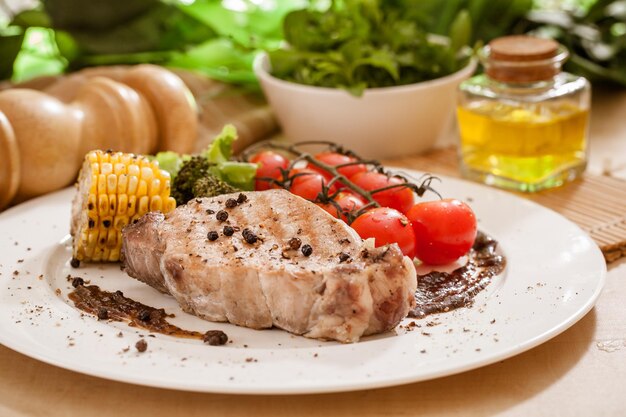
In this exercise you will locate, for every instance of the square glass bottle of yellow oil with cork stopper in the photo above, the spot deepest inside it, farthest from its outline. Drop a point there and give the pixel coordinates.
(523, 124)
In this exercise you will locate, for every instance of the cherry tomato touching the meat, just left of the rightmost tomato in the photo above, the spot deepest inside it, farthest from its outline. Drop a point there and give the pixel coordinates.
(386, 225)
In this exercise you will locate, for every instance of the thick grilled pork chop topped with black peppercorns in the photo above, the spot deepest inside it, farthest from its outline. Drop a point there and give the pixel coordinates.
(274, 259)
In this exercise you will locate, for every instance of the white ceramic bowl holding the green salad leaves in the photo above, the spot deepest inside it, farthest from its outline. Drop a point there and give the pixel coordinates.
(383, 123)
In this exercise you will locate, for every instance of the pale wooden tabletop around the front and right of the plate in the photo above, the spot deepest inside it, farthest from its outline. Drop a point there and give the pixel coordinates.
(581, 372)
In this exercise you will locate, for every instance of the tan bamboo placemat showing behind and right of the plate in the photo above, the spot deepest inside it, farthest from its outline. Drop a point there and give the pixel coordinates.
(596, 203)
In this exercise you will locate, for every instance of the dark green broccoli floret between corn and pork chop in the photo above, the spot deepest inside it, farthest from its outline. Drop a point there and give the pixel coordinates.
(194, 179)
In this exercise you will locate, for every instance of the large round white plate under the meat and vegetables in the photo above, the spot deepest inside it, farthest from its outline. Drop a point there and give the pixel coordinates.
(554, 275)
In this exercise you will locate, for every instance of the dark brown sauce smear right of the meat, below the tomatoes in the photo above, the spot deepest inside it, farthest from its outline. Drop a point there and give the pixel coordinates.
(439, 292)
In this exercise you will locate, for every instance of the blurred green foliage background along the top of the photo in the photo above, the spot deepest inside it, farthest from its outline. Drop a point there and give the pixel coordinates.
(220, 37)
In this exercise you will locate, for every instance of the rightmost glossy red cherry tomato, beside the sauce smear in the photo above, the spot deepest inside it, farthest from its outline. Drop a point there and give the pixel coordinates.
(444, 230)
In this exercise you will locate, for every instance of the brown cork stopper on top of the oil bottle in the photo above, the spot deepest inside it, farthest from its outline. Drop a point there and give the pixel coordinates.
(522, 59)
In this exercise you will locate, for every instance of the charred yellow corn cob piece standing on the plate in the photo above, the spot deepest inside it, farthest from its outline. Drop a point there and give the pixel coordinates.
(114, 189)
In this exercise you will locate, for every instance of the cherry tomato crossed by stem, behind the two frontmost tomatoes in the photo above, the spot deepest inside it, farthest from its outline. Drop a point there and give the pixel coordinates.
(400, 198)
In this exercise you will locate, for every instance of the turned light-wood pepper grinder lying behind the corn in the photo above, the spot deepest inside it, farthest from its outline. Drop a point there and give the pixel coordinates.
(44, 135)
